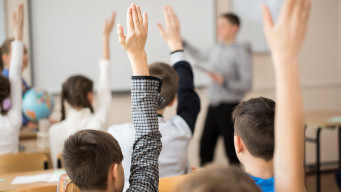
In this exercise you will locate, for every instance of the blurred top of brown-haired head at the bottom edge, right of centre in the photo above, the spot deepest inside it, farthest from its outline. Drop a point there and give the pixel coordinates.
(217, 178)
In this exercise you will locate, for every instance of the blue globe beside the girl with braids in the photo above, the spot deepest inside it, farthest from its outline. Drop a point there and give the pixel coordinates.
(37, 104)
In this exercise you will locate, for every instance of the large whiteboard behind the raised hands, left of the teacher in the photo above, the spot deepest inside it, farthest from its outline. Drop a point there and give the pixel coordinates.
(66, 37)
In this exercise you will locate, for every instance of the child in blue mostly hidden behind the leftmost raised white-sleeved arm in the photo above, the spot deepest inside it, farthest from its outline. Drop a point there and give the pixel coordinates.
(6, 56)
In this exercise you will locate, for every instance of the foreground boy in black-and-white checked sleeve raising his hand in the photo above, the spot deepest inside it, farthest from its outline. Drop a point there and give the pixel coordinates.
(93, 159)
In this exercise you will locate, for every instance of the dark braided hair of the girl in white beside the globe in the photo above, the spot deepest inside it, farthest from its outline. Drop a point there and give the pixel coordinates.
(75, 91)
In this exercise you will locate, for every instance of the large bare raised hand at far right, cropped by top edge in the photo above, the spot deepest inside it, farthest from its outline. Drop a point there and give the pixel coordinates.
(286, 36)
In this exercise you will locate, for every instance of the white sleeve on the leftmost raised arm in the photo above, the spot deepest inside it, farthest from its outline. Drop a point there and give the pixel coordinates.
(15, 114)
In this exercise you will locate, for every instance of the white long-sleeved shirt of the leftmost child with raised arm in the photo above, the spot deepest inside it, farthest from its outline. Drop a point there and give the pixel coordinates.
(10, 124)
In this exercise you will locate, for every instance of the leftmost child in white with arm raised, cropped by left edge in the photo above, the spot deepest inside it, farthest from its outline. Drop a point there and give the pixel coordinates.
(10, 90)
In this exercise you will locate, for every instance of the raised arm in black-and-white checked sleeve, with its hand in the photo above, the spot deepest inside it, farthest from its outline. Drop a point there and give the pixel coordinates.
(145, 96)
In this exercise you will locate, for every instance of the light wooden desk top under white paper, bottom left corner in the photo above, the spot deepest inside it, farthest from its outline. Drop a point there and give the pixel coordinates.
(8, 178)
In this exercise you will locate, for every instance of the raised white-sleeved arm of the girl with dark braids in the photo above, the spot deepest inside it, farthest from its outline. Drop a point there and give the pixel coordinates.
(104, 95)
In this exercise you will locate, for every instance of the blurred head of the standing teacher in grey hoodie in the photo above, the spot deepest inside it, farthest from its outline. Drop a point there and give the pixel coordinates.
(228, 26)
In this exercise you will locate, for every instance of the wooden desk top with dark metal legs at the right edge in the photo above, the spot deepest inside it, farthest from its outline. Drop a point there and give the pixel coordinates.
(321, 118)
